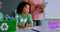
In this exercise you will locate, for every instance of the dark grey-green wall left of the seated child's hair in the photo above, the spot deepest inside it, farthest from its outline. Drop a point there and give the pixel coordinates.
(9, 6)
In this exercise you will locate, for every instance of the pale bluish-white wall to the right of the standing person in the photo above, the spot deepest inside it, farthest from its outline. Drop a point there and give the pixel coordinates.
(52, 9)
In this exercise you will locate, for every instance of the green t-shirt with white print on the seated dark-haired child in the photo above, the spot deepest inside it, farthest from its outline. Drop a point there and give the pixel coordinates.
(24, 19)
